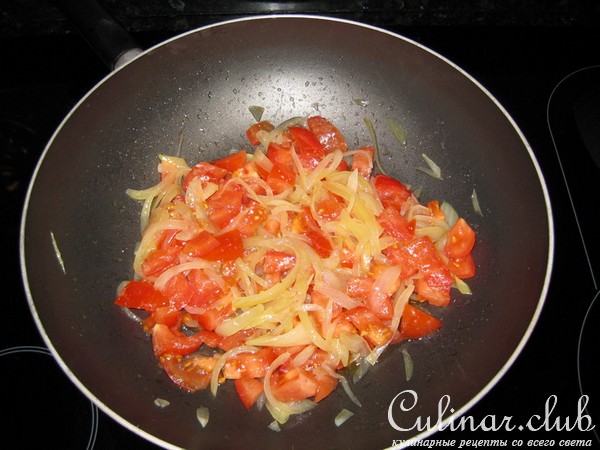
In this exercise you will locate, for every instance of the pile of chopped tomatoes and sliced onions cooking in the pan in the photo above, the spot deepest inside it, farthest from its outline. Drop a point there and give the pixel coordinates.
(281, 267)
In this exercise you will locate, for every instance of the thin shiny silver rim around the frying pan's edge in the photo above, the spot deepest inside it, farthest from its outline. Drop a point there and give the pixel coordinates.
(544, 188)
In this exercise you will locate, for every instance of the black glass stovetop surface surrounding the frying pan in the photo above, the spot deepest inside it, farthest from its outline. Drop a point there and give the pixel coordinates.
(545, 76)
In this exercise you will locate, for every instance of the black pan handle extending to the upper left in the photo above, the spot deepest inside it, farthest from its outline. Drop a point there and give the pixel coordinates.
(113, 44)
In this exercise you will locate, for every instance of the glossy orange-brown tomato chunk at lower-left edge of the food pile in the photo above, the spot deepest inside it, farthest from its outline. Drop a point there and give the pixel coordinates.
(189, 373)
